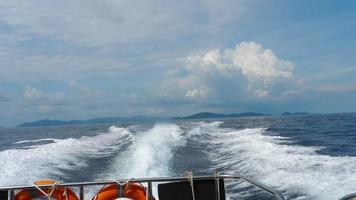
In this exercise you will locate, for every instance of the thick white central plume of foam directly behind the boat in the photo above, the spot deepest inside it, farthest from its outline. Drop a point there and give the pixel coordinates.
(150, 155)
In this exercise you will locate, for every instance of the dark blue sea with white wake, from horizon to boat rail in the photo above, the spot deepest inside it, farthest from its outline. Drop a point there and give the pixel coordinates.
(304, 157)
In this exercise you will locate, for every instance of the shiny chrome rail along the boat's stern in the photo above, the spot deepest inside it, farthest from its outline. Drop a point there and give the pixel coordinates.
(11, 189)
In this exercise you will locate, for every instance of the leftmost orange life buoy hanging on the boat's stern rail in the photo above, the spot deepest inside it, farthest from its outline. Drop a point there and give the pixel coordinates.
(59, 193)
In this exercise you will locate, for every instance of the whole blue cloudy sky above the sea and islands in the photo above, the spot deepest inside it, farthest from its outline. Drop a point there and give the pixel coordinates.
(83, 59)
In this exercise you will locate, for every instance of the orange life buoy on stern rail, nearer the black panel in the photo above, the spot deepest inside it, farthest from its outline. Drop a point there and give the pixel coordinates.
(130, 190)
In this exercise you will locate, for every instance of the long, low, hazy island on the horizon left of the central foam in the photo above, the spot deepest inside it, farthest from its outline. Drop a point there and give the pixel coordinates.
(49, 122)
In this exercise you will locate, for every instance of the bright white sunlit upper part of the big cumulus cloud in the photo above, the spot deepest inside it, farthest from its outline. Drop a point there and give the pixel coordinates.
(248, 58)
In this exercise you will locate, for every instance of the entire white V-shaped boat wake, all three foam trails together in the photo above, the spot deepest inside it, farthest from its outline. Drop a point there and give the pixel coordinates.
(298, 171)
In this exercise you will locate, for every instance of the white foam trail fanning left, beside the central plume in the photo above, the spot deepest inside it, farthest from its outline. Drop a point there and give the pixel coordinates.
(22, 166)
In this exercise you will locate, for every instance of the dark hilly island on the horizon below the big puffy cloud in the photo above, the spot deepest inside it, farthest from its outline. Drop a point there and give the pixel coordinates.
(207, 115)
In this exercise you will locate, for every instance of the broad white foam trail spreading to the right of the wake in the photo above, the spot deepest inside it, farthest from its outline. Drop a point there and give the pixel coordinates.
(295, 169)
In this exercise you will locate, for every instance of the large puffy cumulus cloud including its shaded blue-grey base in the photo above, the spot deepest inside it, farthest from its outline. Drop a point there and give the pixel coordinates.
(236, 75)
